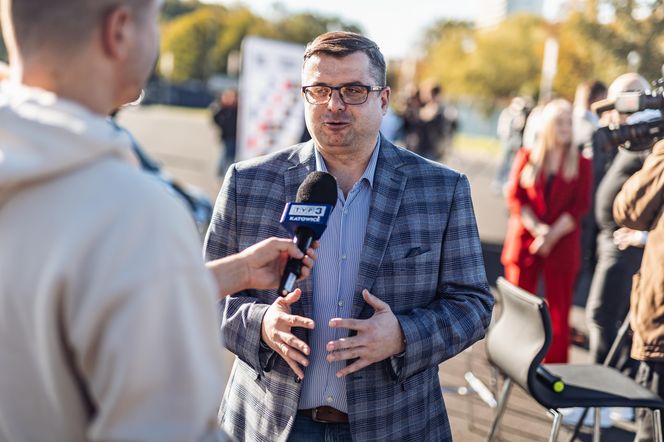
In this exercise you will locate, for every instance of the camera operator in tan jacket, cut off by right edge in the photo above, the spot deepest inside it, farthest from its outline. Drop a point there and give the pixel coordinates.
(639, 206)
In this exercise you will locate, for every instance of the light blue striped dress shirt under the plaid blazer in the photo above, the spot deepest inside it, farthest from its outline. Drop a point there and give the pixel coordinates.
(334, 279)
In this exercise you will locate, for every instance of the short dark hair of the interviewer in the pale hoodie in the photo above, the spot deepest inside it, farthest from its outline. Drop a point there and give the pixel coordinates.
(61, 24)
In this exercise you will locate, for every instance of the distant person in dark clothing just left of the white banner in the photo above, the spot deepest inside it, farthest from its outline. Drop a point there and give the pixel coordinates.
(225, 117)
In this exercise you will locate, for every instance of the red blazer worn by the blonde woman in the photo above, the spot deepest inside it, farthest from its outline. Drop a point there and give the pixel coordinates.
(572, 197)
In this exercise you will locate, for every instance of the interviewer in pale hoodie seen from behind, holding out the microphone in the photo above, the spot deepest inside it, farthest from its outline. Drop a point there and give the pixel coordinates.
(108, 323)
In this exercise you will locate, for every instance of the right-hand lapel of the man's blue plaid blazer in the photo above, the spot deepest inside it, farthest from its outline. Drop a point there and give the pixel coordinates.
(388, 186)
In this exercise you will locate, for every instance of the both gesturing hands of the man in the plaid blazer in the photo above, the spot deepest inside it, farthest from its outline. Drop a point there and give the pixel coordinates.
(378, 337)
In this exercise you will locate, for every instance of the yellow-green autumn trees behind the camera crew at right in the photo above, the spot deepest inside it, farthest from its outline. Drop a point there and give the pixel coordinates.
(493, 64)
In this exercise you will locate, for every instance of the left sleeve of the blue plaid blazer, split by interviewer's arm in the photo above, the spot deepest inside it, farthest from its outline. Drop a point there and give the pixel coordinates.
(241, 314)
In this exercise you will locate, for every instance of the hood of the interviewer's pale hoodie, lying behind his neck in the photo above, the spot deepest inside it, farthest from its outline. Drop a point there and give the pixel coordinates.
(43, 136)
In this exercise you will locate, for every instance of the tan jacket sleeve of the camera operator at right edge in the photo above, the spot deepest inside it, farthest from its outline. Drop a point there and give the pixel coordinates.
(641, 198)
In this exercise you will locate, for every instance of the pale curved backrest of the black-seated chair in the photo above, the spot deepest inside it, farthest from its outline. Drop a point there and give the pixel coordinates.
(517, 342)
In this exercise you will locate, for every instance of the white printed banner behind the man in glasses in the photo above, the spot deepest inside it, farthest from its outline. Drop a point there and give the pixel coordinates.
(270, 109)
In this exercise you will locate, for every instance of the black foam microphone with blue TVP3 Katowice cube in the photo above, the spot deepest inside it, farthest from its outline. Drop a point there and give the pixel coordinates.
(306, 219)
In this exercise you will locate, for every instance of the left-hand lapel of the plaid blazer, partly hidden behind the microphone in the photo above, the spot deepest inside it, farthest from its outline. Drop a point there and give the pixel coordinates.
(304, 162)
